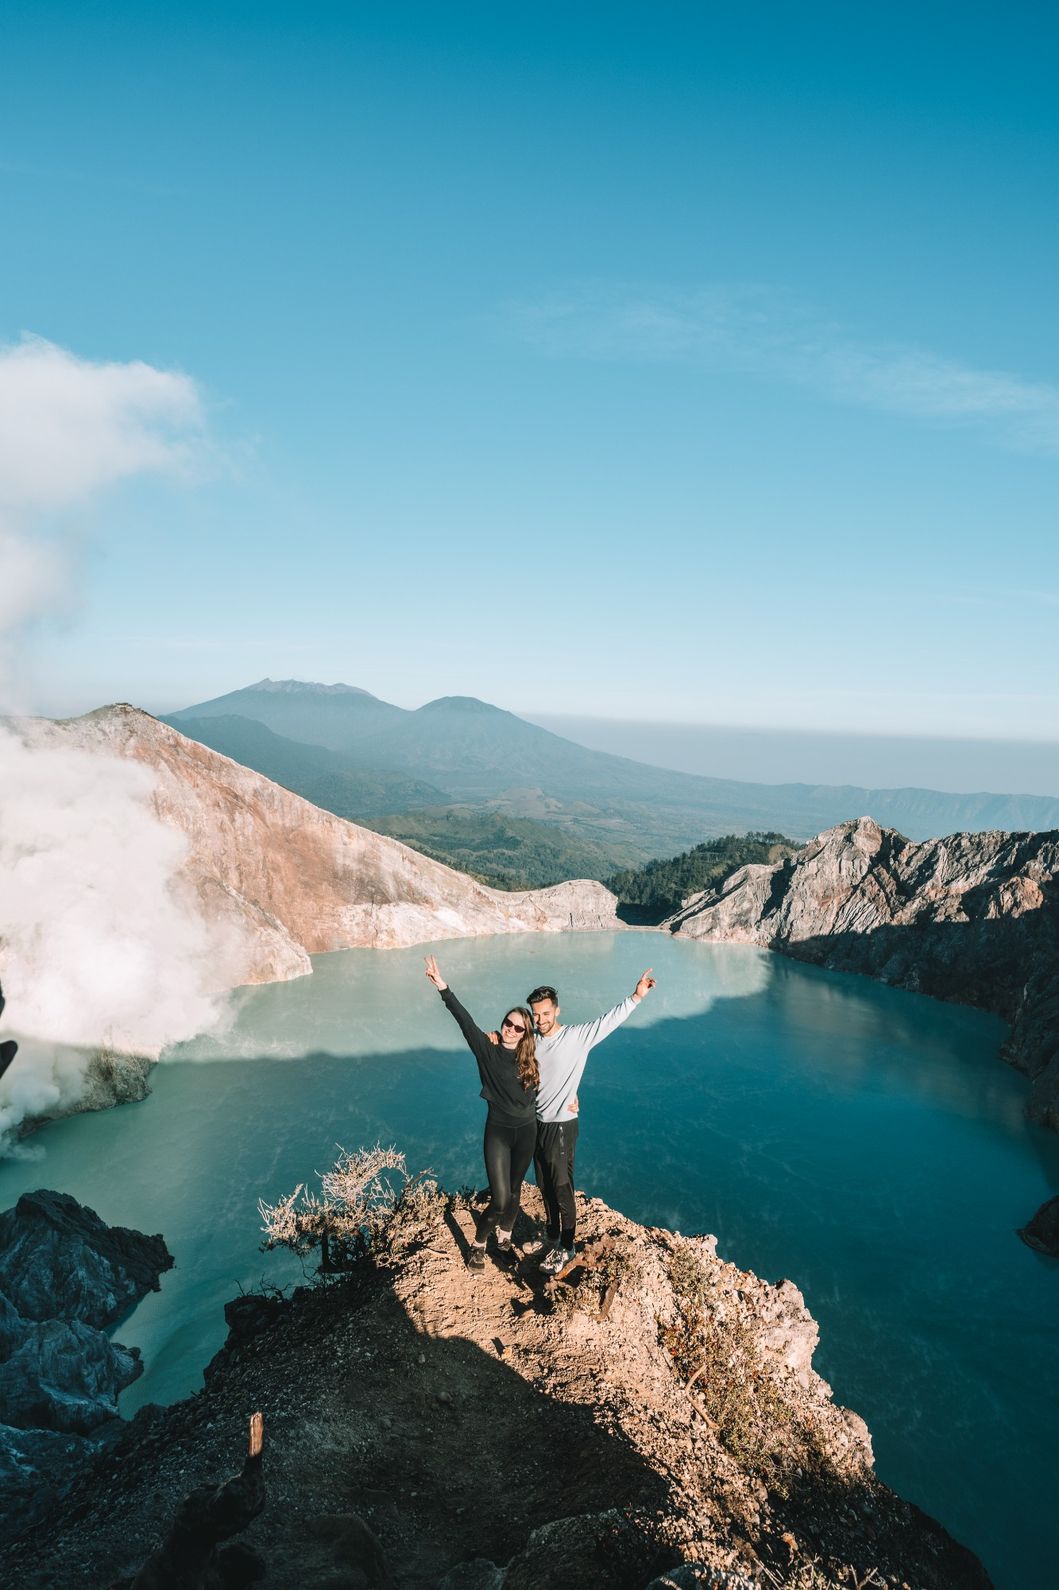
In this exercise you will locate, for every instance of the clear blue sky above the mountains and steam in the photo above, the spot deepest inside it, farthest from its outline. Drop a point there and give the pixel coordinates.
(662, 362)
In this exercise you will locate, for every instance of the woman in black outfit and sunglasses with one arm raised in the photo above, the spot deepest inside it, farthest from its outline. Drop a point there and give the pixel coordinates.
(510, 1085)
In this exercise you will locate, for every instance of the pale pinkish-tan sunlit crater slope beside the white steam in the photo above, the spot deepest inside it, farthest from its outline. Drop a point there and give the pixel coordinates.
(293, 880)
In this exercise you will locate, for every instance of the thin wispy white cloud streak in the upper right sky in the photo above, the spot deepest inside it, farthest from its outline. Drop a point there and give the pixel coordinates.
(767, 333)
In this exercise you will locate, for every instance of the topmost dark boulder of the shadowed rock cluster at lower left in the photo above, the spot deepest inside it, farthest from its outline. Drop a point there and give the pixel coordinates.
(60, 1262)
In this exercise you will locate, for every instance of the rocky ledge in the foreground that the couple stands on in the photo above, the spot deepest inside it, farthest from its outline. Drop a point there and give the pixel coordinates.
(654, 1414)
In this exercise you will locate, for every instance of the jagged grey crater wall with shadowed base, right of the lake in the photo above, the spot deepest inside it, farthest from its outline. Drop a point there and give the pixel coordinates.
(972, 918)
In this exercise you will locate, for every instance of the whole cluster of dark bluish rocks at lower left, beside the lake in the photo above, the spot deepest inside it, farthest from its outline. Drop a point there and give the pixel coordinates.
(64, 1281)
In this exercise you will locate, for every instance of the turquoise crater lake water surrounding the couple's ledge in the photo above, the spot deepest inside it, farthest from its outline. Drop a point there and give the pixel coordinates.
(861, 1141)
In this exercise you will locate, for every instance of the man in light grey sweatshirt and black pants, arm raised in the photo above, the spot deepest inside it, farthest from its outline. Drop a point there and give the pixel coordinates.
(562, 1057)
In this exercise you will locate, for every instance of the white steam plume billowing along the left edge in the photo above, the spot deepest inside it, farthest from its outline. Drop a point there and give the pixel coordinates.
(103, 945)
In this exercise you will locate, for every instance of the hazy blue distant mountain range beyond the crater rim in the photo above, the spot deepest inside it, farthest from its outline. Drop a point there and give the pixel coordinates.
(484, 756)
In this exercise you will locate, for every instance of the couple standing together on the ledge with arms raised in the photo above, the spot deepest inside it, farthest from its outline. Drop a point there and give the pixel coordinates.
(530, 1076)
